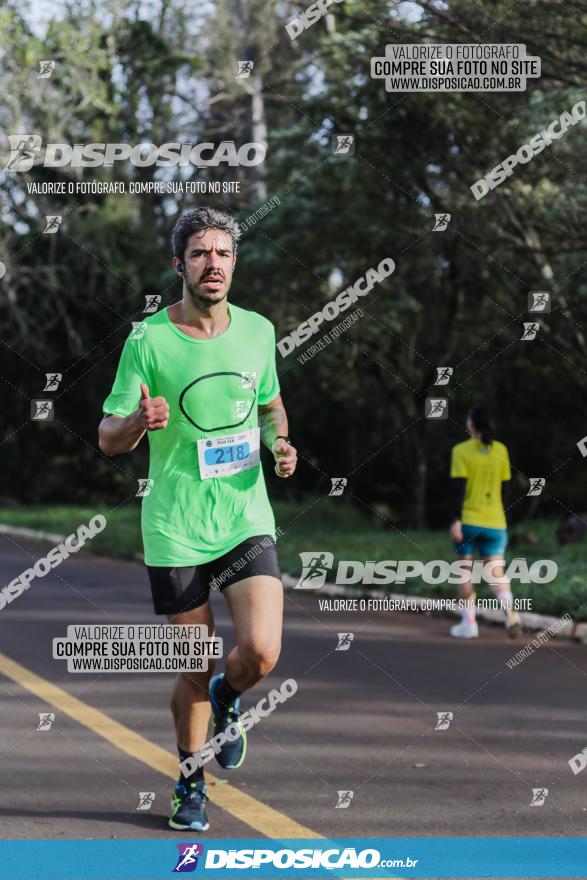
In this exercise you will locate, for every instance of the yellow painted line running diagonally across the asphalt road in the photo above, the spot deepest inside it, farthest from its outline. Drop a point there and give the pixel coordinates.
(247, 809)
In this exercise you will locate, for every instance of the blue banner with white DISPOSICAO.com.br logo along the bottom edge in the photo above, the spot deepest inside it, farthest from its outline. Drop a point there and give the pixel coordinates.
(227, 859)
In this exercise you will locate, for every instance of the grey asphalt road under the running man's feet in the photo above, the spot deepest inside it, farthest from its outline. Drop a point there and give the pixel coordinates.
(362, 720)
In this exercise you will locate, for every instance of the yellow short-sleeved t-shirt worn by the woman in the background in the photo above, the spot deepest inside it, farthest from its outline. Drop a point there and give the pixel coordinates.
(484, 469)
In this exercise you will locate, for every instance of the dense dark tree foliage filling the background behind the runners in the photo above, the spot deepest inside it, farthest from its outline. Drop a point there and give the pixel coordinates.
(161, 73)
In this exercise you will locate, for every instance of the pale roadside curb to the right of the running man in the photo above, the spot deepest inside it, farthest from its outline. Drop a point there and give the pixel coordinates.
(530, 621)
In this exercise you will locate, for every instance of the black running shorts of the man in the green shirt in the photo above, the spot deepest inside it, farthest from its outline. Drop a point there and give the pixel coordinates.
(183, 588)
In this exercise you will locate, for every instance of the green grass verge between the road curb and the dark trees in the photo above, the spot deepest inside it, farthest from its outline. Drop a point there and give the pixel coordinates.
(331, 524)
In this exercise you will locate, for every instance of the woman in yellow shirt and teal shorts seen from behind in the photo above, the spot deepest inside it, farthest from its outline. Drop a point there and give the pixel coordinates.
(479, 468)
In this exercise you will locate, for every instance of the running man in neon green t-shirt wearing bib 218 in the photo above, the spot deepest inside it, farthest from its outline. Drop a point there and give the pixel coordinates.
(199, 378)
